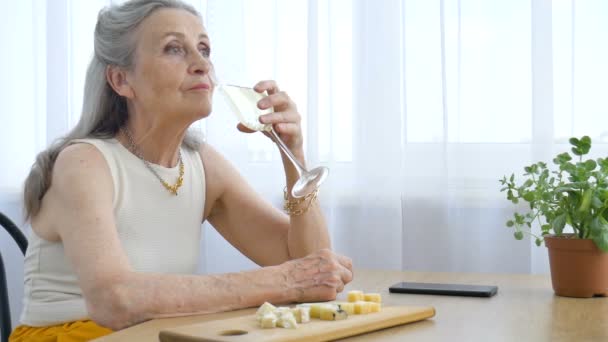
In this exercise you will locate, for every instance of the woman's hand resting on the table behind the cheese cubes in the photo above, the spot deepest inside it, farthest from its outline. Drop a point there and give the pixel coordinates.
(319, 276)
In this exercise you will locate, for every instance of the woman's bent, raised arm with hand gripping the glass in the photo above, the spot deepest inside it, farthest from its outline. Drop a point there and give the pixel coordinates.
(245, 219)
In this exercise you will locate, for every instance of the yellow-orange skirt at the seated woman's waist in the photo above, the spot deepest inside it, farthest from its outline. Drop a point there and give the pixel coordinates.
(67, 332)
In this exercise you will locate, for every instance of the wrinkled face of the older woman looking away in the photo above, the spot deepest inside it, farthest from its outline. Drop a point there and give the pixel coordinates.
(170, 75)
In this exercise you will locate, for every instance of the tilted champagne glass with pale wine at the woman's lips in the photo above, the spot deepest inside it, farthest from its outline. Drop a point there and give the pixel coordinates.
(243, 101)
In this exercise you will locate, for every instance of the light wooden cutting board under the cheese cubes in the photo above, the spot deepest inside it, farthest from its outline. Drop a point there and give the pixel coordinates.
(245, 328)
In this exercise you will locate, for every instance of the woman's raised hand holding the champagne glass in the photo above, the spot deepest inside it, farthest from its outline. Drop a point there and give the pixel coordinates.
(285, 118)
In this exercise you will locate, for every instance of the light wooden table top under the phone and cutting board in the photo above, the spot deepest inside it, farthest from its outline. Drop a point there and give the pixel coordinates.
(525, 309)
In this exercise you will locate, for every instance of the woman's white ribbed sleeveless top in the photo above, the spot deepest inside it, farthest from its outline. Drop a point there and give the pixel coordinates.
(159, 232)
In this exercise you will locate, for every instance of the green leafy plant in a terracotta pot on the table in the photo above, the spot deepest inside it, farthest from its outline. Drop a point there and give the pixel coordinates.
(572, 197)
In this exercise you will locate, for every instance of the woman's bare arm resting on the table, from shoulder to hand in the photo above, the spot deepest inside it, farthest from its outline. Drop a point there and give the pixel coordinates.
(78, 209)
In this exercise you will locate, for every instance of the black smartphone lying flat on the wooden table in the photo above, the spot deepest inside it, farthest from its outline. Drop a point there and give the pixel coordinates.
(445, 289)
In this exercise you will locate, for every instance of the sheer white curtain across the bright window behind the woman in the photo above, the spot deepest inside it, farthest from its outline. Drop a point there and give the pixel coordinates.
(418, 107)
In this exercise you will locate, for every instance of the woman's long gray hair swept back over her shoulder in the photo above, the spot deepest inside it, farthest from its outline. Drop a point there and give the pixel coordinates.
(104, 112)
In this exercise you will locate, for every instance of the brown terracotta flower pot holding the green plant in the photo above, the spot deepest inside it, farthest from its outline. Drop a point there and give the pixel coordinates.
(578, 267)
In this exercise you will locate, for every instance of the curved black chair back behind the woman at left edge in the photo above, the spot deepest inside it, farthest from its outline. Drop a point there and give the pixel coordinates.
(5, 309)
